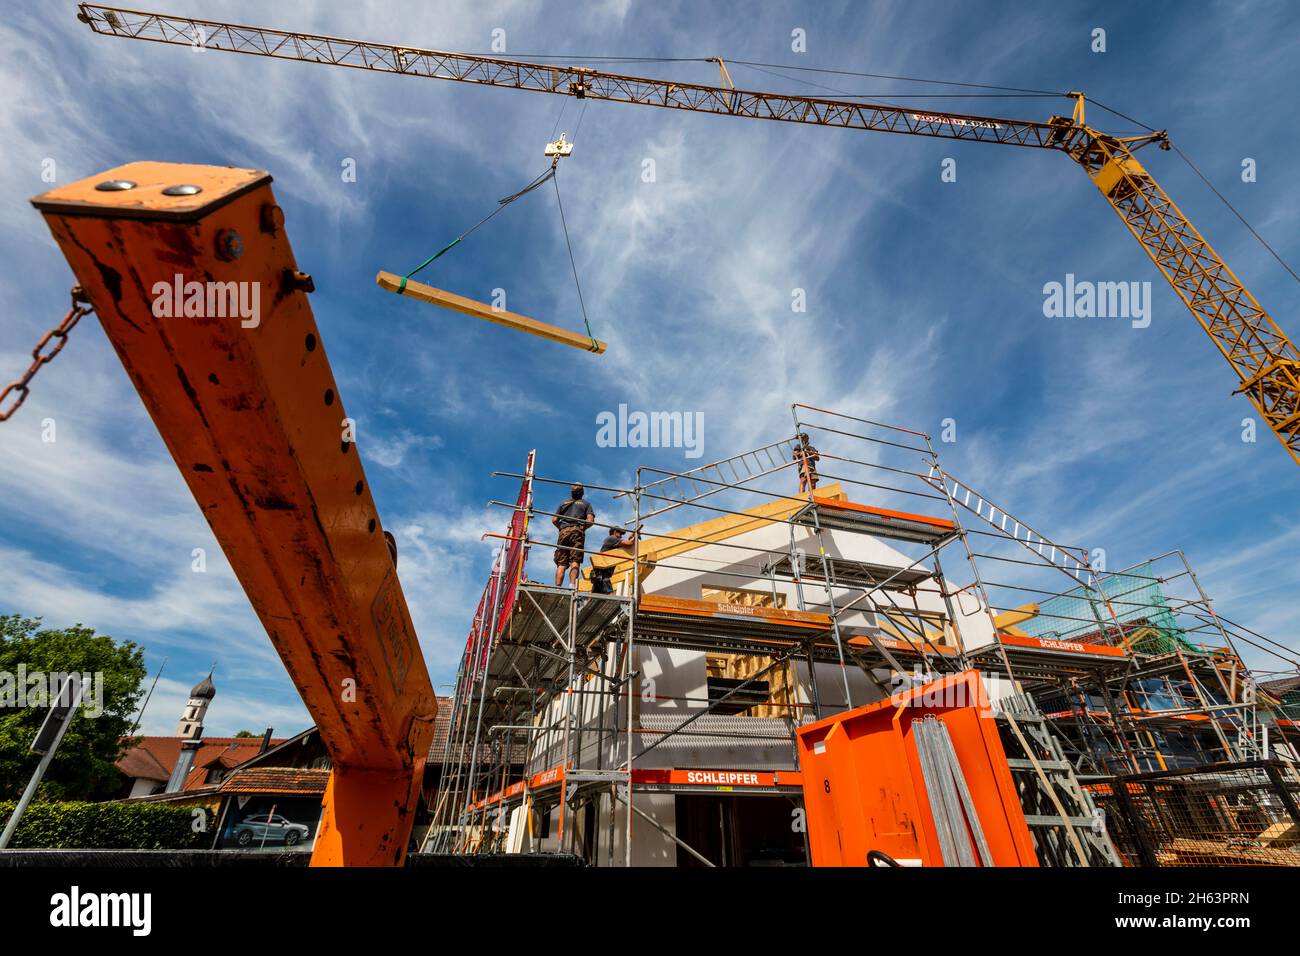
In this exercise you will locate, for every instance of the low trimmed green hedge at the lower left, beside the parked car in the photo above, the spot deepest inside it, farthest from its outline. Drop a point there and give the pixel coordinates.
(109, 827)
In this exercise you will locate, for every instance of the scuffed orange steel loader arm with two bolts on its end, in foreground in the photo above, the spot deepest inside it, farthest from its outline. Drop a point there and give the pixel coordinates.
(196, 284)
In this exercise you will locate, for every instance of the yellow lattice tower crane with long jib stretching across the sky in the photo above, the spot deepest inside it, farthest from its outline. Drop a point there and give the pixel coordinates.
(1266, 361)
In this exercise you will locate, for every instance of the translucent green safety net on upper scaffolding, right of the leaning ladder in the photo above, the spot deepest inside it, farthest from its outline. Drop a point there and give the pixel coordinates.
(1138, 604)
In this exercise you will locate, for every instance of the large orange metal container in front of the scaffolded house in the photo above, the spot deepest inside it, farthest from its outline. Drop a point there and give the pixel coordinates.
(864, 788)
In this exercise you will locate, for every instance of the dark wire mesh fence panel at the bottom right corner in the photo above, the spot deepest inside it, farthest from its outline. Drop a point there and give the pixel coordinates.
(1224, 815)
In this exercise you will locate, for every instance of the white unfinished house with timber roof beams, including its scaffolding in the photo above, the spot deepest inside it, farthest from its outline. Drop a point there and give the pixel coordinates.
(569, 681)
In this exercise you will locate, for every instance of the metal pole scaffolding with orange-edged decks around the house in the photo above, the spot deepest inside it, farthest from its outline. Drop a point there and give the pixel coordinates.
(545, 717)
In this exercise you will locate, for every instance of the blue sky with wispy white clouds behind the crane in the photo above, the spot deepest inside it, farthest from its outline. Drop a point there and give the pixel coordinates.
(925, 300)
